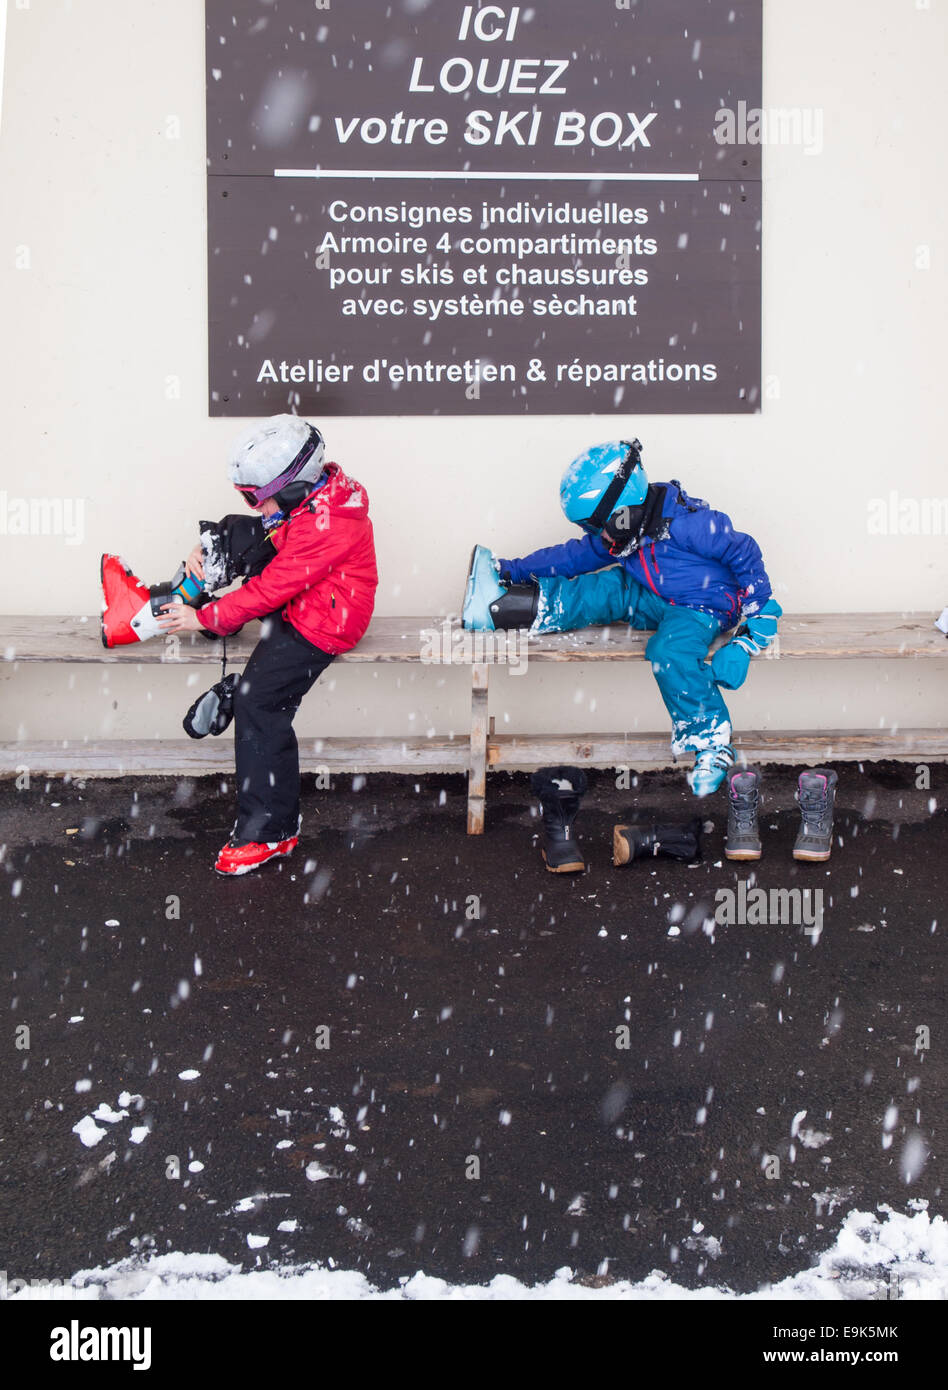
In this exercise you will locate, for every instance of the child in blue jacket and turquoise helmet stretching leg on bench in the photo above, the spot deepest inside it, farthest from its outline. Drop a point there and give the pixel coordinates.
(653, 558)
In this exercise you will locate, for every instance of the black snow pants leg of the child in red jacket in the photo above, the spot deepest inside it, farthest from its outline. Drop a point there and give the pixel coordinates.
(283, 668)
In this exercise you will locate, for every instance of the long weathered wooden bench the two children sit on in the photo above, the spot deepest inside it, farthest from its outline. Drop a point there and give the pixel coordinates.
(439, 641)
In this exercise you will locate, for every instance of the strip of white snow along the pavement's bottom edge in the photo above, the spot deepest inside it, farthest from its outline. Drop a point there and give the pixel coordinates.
(901, 1256)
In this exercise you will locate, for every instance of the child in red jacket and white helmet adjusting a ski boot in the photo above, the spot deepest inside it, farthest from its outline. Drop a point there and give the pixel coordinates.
(309, 568)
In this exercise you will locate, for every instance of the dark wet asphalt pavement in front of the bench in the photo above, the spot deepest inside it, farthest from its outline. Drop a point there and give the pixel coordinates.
(411, 1043)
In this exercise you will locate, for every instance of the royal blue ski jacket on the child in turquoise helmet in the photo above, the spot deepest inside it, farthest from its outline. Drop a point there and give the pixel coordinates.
(701, 564)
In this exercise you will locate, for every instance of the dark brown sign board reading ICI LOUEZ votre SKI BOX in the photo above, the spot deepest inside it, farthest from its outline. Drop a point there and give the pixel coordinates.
(444, 208)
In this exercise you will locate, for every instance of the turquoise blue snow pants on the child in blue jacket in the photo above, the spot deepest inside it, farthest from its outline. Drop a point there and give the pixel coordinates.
(676, 650)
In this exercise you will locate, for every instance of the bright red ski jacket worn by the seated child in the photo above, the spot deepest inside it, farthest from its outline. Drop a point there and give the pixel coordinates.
(323, 576)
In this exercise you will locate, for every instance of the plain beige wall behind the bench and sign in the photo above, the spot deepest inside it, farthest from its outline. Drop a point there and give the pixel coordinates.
(104, 293)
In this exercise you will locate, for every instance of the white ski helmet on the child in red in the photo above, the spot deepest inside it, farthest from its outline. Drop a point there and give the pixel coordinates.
(280, 459)
